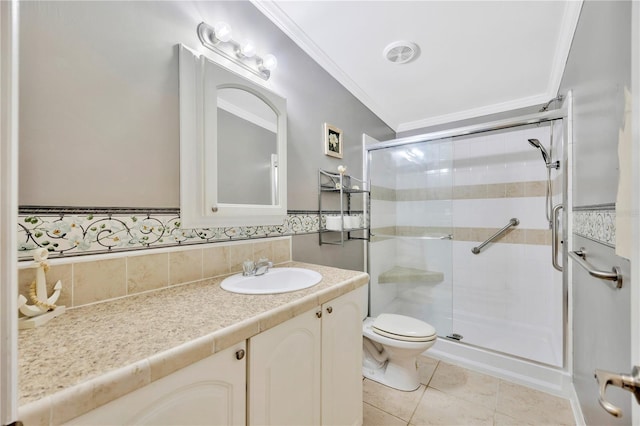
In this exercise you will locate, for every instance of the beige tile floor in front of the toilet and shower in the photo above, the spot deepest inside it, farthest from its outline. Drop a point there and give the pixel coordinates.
(452, 395)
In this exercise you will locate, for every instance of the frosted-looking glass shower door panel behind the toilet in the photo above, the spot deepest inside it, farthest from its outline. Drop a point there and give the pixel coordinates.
(410, 250)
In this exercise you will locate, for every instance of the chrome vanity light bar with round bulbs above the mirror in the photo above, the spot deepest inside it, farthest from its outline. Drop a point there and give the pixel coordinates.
(219, 39)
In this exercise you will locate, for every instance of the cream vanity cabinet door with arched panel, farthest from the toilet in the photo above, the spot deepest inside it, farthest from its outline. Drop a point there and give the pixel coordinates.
(209, 392)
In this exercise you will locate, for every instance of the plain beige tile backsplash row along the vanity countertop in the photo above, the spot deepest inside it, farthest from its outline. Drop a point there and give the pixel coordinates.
(97, 278)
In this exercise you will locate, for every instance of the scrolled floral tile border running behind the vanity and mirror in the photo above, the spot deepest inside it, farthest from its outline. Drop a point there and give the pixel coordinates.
(80, 231)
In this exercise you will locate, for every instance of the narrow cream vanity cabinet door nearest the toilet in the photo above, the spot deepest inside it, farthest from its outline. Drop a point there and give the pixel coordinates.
(342, 360)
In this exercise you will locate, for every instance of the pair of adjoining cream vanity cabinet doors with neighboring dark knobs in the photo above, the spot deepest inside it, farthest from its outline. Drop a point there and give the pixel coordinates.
(307, 370)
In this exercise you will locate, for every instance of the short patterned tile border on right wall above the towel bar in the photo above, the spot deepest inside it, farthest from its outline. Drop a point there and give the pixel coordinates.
(596, 223)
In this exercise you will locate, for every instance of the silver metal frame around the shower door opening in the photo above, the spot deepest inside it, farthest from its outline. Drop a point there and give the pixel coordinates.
(564, 114)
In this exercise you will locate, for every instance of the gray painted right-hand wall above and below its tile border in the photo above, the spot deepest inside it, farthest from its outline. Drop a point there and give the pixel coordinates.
(597, 71)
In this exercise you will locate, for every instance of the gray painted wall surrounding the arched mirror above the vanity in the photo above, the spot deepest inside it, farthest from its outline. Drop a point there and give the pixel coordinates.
(99, 123)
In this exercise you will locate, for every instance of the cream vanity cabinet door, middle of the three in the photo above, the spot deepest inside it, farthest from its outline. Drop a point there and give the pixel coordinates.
(284, 373)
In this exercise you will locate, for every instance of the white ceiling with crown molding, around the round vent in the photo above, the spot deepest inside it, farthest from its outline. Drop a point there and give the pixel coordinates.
(476, 57)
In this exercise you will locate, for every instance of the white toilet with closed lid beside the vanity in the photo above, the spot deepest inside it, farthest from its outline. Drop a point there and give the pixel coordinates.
(391, 344)
